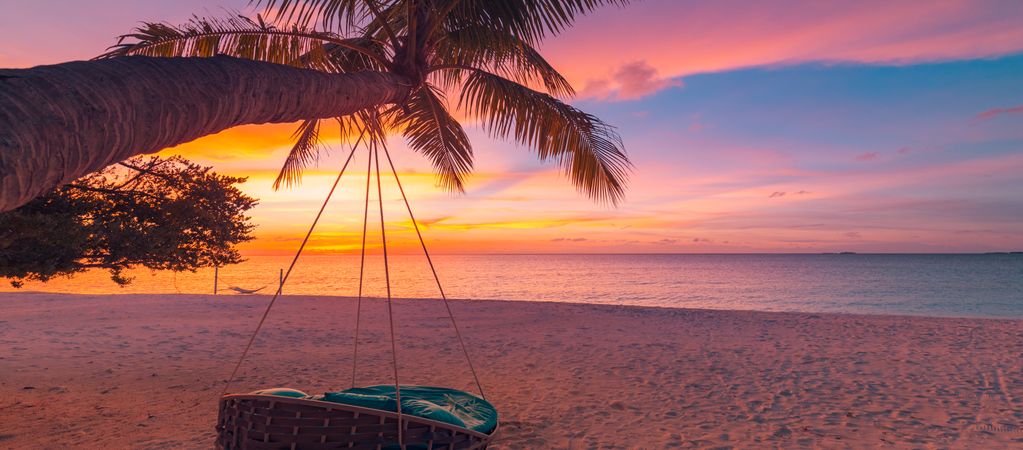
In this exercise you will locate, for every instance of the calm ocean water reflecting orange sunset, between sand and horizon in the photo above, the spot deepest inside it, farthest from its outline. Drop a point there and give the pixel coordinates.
(970, 286)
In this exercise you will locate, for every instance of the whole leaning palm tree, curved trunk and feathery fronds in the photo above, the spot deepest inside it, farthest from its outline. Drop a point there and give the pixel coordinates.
(371, 66)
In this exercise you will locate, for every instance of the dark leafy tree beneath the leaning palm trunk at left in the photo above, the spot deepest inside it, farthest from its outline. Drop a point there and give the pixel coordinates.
(164, 214)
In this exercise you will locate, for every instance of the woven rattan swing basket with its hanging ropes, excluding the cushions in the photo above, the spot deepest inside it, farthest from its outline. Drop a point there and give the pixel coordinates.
(263, 422)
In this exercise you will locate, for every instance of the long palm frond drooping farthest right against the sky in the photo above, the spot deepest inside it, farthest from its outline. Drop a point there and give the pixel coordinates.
(589, 150)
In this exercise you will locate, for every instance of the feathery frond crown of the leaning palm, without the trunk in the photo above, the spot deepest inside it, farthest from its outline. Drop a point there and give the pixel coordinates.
(484, 52)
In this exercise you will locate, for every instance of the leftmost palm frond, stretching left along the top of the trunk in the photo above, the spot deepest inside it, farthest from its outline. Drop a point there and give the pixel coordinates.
(241, 37)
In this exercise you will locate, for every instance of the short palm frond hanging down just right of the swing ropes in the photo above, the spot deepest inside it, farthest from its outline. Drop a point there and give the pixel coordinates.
(431, 130)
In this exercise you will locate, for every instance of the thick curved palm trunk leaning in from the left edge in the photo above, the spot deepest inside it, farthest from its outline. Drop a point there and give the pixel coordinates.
(61, 122)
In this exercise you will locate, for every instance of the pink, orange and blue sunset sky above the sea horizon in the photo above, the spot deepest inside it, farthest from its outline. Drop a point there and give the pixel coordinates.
(786, 126)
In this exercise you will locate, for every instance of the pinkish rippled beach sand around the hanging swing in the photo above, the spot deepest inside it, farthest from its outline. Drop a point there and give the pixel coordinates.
(146, 372)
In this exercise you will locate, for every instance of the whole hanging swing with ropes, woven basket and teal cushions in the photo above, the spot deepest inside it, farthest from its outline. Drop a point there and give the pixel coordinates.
(367, 419)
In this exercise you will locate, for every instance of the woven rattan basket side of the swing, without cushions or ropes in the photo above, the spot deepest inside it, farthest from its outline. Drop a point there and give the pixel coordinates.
(272, 423)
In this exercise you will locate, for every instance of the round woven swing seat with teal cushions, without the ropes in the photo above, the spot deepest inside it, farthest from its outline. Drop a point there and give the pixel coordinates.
(433, 419)
